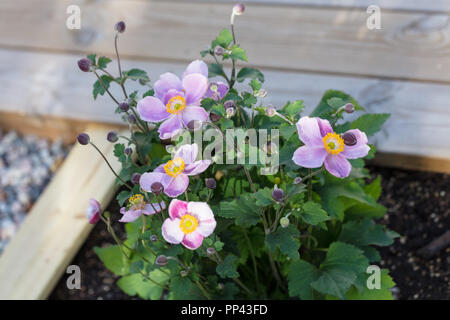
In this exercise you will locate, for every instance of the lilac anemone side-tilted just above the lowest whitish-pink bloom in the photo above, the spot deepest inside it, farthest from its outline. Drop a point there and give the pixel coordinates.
(174, 174)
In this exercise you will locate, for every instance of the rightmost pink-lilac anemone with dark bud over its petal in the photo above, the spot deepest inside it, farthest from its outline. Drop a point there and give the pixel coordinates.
(323, 146)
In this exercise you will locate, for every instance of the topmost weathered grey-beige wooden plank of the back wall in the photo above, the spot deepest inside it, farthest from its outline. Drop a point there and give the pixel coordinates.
(331, 40)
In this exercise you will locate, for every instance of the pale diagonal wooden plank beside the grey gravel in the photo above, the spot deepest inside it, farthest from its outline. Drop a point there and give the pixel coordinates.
(56, 227)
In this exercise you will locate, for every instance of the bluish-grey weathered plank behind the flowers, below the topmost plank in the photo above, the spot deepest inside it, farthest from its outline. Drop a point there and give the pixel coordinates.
(419, 120)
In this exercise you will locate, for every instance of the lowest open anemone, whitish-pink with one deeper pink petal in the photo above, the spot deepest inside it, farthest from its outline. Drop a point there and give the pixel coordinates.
(188, 223)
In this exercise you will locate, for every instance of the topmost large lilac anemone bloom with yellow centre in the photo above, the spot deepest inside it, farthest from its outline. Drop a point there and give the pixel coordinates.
(176, 102)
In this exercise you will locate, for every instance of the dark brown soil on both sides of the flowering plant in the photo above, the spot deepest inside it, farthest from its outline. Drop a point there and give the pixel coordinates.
(418, 209)
